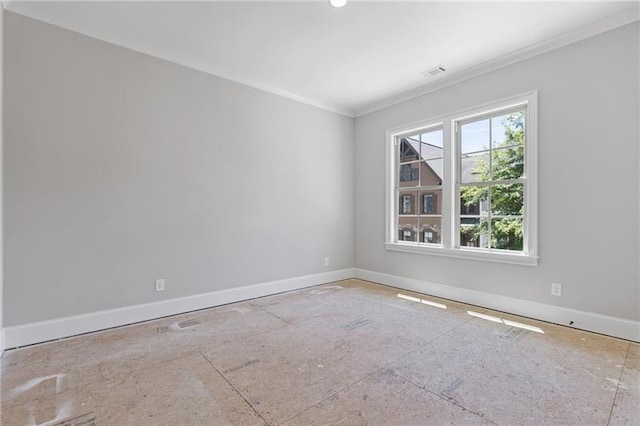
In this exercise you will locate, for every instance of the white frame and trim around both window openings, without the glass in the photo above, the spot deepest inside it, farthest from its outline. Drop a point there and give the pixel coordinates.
(449, 246)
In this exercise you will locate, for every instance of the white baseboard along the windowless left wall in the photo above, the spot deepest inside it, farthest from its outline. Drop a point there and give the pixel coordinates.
(43, 331)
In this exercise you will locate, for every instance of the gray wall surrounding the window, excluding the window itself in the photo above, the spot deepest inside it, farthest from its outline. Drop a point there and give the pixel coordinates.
(588, 178)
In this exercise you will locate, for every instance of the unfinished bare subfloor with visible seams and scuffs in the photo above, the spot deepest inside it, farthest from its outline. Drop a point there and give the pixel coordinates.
(345, 353)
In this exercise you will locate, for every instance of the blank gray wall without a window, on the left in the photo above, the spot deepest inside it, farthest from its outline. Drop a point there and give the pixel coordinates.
(121, 168)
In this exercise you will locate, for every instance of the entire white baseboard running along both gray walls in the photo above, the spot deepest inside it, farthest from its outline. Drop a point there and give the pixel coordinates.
(27, 334)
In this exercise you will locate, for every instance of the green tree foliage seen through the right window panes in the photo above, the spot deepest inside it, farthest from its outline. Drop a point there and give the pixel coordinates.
(507, 163)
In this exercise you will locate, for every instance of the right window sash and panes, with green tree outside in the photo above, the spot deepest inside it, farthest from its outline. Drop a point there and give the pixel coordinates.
(491, 176)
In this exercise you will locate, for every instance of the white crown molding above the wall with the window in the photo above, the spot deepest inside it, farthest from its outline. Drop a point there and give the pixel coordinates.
(610, 23)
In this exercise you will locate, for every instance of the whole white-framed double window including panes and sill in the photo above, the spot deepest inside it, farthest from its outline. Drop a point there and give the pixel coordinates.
(465, 184)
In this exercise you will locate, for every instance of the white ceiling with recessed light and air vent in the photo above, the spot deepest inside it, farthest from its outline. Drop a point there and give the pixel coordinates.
(350, 60)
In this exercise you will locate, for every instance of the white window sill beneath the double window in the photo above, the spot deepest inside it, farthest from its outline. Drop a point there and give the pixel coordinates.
(465, 253)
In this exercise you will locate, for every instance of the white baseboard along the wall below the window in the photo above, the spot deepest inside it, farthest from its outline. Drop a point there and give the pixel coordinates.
(603, 324)
